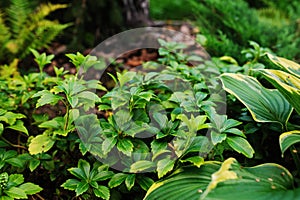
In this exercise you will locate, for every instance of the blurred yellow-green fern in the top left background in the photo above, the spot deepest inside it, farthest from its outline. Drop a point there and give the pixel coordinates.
(23, 27)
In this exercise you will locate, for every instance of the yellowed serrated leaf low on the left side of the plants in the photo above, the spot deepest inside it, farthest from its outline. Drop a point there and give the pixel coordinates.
(41, 143)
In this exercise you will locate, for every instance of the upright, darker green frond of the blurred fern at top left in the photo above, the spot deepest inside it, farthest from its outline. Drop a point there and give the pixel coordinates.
(17, 15)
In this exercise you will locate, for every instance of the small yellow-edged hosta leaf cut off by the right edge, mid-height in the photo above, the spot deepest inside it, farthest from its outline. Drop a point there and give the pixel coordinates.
(287, 139)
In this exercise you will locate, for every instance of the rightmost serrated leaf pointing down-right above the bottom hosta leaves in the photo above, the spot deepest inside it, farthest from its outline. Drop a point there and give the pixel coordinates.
(240, 145)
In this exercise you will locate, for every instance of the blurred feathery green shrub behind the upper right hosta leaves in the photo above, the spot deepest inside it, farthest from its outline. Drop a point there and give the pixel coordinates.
(229, 25)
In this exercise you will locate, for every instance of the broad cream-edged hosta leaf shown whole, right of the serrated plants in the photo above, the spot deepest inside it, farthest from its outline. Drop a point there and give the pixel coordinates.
(265, 105)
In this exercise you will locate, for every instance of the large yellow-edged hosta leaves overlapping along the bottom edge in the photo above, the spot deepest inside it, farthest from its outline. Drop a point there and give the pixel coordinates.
(226, 181)
